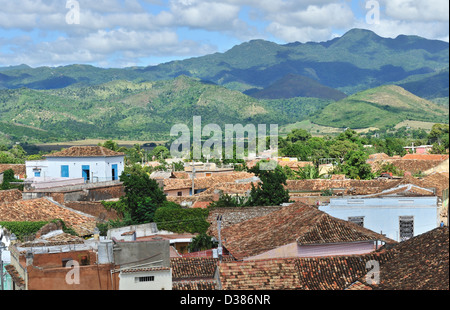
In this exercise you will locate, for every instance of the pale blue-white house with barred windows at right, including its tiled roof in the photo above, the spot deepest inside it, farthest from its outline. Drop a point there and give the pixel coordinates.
(399, 213)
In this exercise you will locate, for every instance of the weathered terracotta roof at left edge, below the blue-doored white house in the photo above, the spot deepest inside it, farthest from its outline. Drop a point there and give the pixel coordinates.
(42, 209)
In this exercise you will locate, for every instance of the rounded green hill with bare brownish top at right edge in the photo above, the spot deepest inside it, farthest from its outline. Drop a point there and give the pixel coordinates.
(379, 107)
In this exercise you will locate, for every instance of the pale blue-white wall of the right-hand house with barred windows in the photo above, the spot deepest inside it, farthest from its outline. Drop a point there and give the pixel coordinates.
(382, 214)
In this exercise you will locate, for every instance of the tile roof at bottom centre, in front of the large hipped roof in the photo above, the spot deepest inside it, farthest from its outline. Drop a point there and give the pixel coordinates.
(319, 273)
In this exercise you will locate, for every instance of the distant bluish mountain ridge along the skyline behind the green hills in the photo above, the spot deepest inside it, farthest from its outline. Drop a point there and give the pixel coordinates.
(358, 60)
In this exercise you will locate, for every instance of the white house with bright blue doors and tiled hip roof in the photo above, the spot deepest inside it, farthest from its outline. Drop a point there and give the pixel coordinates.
(90, 163)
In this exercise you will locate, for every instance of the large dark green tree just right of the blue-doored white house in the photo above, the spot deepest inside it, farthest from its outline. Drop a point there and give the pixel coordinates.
(142, 195)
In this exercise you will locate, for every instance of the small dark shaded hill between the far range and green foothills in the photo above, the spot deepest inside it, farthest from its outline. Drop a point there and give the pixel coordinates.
(293, 85)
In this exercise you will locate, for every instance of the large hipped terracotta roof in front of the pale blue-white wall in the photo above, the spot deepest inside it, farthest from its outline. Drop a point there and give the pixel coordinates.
(295, 223)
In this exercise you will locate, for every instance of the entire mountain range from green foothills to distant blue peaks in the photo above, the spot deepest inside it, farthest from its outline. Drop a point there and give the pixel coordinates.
(331, 83)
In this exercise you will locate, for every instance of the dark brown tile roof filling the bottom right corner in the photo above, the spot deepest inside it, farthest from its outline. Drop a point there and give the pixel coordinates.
(420, 263)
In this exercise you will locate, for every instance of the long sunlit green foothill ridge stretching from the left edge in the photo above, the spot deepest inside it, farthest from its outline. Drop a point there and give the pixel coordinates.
(136, 111)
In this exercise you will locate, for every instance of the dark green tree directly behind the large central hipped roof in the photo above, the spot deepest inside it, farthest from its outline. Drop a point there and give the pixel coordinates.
(270, 191)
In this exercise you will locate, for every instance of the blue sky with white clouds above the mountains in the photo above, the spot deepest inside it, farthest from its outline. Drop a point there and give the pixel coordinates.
(125, 33)
